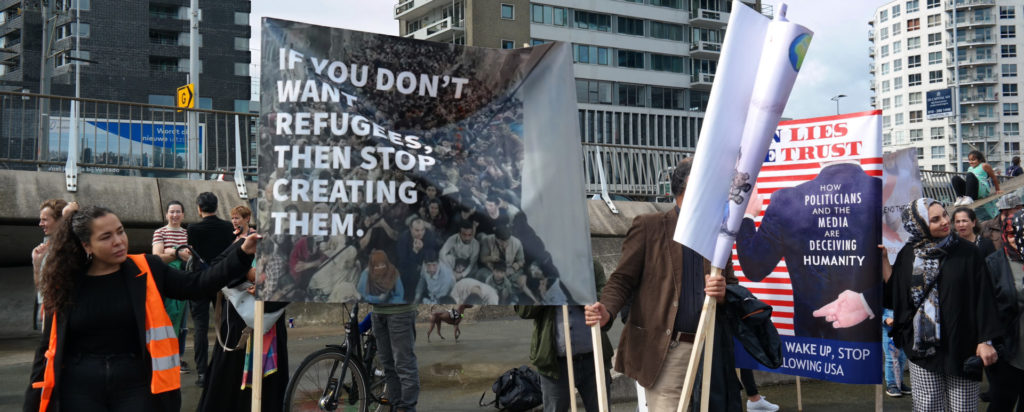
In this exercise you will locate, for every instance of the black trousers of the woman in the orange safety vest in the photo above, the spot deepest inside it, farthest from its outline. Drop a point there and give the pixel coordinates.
(106, 383)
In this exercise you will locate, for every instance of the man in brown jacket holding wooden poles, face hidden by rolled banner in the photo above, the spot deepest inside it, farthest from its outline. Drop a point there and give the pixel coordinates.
(666, 283)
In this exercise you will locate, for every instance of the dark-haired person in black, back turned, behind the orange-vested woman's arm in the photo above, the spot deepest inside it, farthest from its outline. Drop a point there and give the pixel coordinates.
(210, 237)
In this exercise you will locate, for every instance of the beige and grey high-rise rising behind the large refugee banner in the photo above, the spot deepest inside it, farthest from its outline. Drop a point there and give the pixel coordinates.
(644, 68)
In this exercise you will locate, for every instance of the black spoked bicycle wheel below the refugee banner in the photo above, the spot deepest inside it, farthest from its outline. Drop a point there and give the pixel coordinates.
(313, 386)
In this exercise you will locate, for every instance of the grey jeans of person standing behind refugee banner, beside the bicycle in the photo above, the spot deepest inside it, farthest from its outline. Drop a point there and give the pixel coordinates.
(396, 337)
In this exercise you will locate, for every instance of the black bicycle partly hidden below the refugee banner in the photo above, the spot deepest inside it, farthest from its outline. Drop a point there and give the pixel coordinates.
(340, 378)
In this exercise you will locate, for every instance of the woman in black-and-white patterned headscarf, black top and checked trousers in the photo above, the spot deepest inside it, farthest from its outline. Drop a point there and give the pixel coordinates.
(941, 295)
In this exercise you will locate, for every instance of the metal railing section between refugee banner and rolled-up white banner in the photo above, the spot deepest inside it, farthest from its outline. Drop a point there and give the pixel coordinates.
(632, 172)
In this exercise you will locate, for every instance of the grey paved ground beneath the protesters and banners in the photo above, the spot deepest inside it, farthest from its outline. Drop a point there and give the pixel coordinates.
(454, 376)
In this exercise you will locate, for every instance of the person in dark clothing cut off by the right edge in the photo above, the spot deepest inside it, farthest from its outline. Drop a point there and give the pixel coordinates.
(1006, 378)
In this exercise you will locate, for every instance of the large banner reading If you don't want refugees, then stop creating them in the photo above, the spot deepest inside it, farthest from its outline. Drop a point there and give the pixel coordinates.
(394, 171)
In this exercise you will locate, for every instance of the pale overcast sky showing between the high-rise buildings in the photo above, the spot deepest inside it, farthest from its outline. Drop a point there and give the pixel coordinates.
(837, 62)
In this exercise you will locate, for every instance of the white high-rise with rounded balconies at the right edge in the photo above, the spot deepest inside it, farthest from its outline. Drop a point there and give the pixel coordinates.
(926, 46)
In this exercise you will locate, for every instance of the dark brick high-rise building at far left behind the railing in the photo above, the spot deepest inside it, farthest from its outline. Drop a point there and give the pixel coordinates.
(139, 50)
